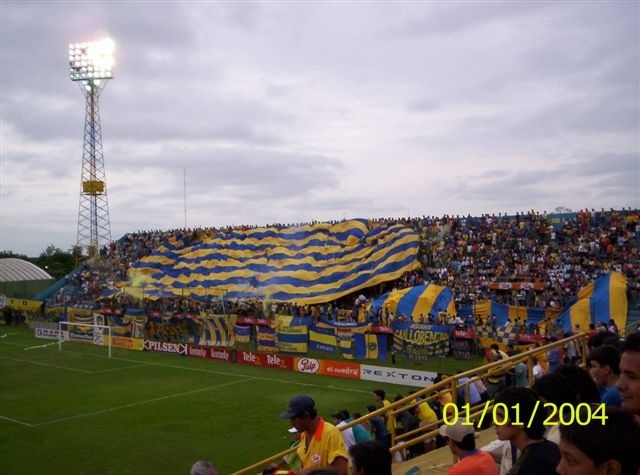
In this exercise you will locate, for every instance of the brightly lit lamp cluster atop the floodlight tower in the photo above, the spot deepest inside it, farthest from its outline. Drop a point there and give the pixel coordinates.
(91, 62)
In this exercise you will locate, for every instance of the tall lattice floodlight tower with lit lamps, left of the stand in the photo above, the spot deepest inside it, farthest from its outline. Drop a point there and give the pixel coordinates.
(91, 65)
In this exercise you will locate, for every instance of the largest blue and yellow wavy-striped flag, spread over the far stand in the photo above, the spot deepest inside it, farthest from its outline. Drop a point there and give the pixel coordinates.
(308, 264)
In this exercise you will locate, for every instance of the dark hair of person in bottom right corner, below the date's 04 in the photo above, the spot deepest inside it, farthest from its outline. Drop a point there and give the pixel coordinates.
(617, 438)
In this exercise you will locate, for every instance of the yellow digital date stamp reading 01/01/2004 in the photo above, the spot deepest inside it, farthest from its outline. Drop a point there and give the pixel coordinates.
(501, 414)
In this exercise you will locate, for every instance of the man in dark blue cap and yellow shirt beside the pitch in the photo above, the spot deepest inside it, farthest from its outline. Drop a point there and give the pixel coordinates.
(321, 445)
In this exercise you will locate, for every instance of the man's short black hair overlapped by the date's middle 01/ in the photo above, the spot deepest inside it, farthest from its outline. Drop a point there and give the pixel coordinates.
(525, 400)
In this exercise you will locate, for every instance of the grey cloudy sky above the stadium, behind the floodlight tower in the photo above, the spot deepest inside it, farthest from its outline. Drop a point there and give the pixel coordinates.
(264, 112)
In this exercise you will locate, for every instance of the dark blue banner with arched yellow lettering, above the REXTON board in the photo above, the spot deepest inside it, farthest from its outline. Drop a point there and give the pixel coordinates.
(420, 341)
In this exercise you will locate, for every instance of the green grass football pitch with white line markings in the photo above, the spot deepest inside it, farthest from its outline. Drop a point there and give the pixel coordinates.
(76, 411)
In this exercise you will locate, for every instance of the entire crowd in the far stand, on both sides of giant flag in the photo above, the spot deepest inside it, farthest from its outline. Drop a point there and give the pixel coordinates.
(467, 254)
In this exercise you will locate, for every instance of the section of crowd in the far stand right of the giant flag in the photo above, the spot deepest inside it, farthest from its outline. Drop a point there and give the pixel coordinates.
(564, 253)
